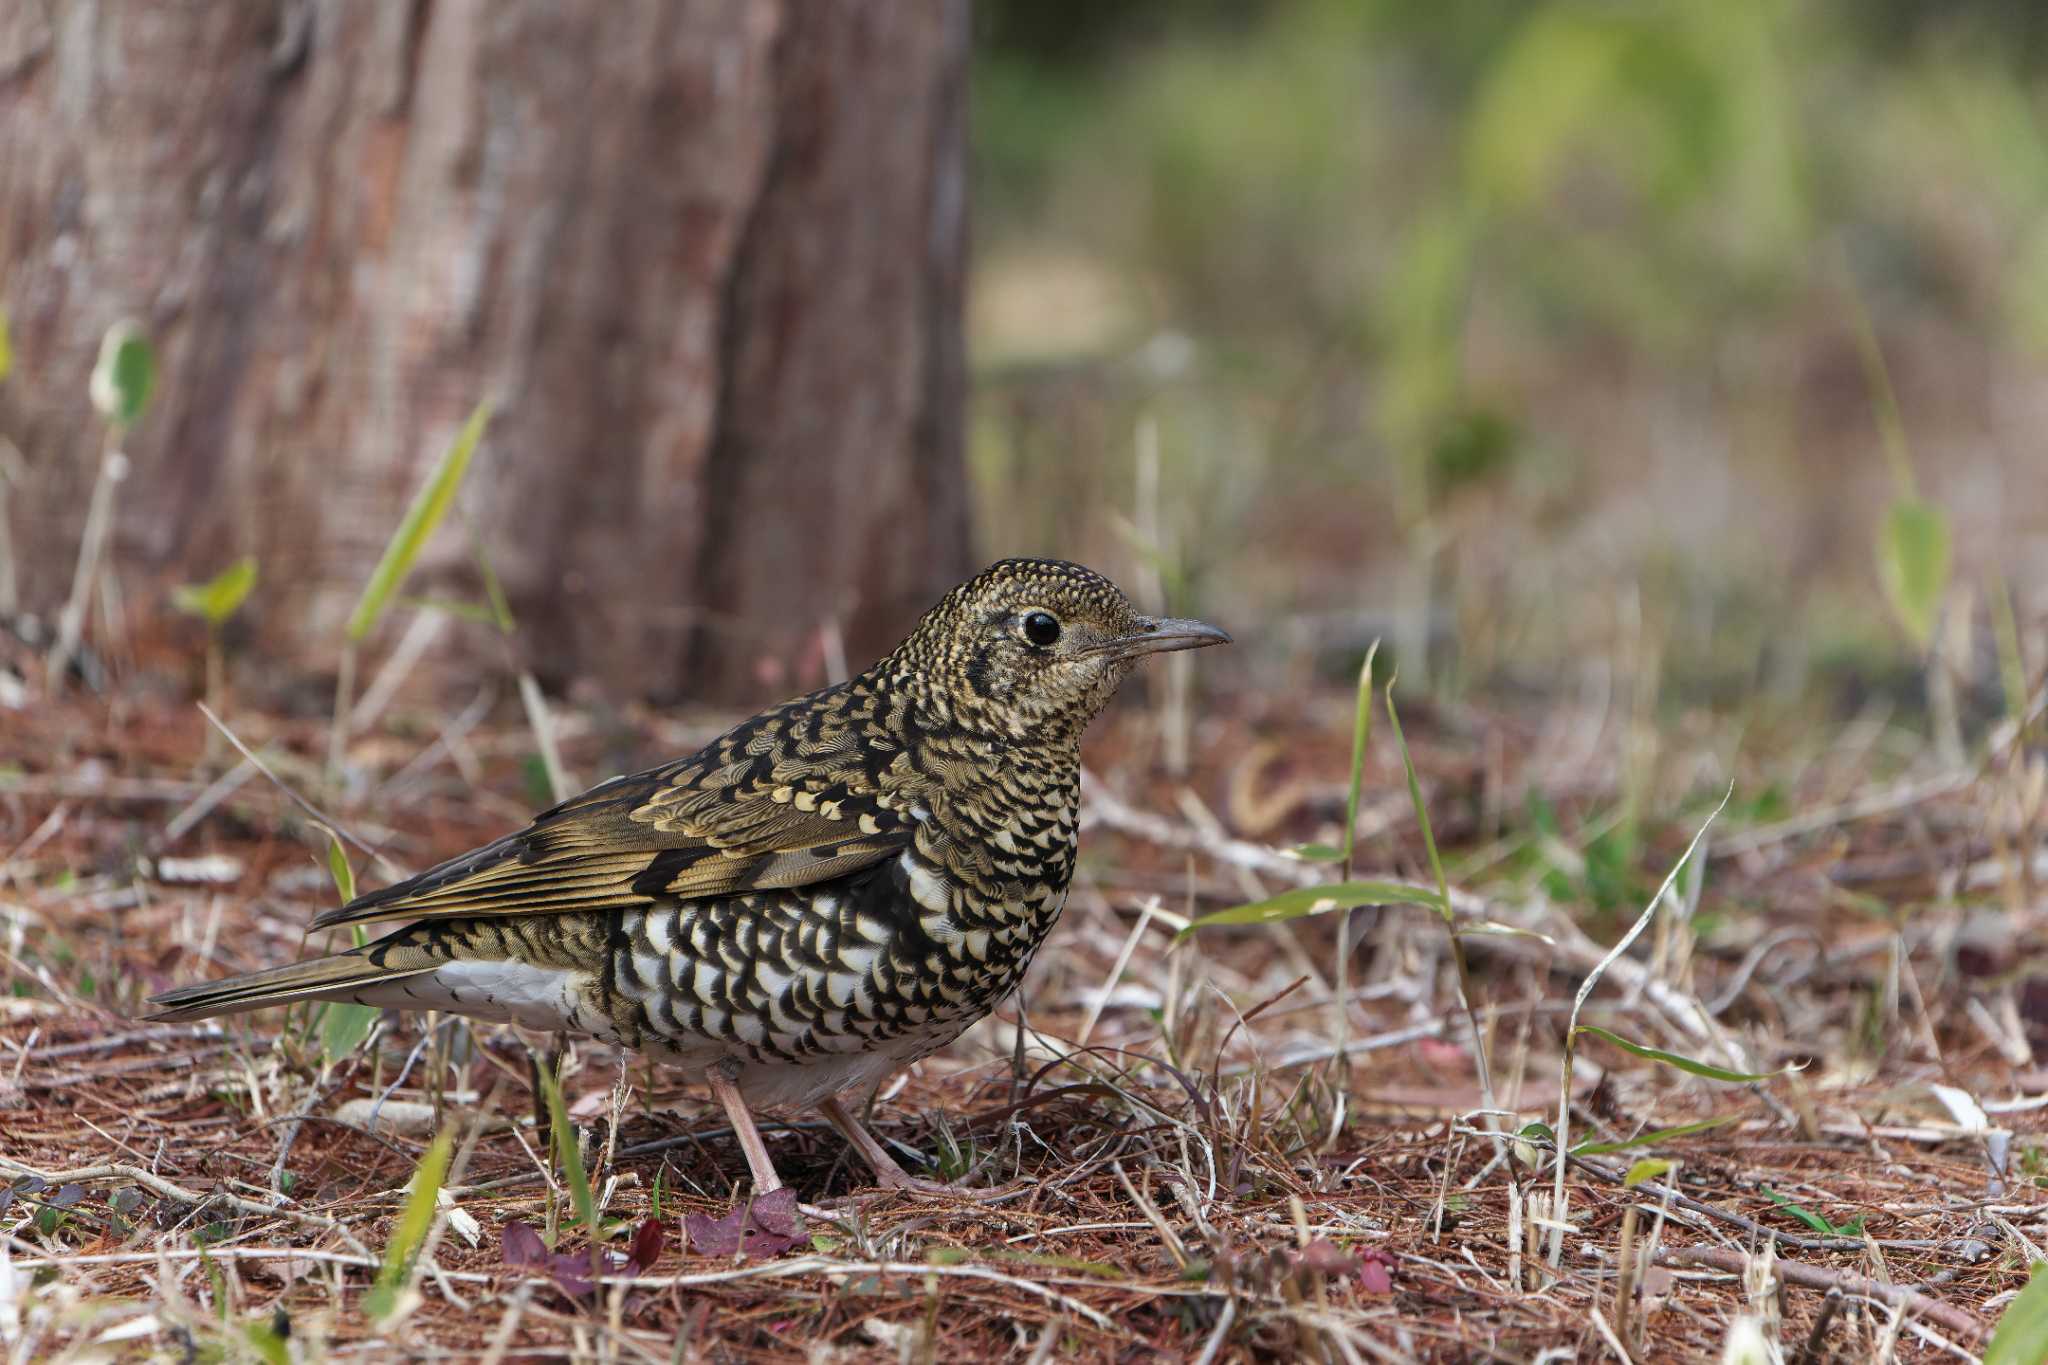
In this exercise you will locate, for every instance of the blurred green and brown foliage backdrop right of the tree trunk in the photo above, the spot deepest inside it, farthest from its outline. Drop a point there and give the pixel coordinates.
(1435, 298)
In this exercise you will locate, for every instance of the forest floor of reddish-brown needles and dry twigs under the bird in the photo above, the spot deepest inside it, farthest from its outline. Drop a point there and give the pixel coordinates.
(1213, 1163)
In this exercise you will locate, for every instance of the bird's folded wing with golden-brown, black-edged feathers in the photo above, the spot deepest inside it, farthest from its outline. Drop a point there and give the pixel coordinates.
(783, 801)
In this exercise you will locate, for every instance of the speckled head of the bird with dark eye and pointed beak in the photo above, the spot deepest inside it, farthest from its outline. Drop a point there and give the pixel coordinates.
(1031, 650)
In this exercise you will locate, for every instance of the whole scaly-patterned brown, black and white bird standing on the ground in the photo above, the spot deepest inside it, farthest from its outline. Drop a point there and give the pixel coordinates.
(820, 897)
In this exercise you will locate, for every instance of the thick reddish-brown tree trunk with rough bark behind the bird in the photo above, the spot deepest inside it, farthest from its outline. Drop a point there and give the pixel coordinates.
(703, 253)
